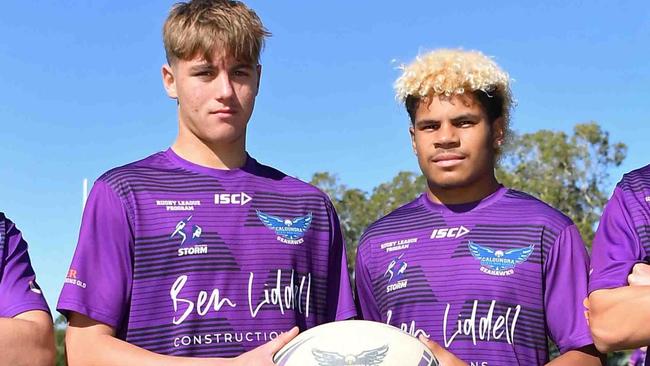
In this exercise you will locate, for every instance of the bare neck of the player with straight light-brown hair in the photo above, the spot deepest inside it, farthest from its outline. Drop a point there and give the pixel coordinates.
(212, 155)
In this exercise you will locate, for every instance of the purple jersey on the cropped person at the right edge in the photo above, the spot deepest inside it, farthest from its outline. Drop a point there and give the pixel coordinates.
(623, 235)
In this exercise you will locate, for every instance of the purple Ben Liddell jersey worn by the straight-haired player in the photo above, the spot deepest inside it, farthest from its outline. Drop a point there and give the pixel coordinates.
(190, 261)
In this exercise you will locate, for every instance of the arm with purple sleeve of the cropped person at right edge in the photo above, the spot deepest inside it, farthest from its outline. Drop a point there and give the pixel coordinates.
(615, 318)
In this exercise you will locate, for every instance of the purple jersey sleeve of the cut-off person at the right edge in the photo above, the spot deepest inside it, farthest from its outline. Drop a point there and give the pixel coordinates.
(616, 247)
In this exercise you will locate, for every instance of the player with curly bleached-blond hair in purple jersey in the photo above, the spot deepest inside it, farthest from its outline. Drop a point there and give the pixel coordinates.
(485, 272)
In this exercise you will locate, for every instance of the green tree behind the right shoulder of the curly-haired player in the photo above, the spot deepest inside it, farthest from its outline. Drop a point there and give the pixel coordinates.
(569, 172)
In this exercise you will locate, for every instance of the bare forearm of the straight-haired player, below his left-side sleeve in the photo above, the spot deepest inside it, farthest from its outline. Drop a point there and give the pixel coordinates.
(104, 350)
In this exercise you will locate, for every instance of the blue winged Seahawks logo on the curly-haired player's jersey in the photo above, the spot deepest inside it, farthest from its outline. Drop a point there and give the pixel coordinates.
(499, 262)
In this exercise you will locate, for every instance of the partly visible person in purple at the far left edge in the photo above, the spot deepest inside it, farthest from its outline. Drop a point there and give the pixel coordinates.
(26, 335)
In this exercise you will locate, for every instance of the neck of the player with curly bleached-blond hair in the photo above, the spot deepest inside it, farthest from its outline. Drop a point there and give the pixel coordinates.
(466, 194)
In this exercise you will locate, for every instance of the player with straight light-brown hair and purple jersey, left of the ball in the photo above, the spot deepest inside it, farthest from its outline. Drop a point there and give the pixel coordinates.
(200, 253)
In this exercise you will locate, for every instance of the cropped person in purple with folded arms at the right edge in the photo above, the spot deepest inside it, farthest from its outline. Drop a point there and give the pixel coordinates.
(619, 284)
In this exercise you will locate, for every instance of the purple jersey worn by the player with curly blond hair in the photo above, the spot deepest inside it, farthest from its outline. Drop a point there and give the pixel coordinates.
(485, 280)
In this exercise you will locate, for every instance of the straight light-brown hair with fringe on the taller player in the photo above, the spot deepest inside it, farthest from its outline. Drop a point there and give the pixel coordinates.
(197, 27)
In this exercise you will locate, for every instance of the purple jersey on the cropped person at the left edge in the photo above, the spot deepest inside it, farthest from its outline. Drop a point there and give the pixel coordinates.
(18, 289)
